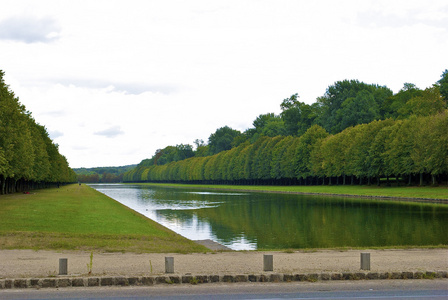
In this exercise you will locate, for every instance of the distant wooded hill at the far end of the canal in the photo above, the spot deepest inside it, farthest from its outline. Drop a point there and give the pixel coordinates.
(102, 174)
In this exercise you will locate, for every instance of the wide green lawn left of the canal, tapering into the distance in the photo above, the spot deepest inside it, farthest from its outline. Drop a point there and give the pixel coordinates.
(77, 217)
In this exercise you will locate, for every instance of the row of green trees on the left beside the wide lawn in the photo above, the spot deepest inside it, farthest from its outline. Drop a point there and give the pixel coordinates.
(28, 157)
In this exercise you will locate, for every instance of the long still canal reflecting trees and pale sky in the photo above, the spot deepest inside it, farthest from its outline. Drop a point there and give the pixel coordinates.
(249, 221)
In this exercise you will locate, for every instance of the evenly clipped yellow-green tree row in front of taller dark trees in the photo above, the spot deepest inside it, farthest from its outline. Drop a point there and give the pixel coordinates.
(380, 148)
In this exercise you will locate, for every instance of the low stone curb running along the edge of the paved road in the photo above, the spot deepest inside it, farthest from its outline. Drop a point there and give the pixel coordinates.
(93, 281)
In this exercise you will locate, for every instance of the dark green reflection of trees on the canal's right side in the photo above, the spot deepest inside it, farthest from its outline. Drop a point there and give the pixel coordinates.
(326, 222)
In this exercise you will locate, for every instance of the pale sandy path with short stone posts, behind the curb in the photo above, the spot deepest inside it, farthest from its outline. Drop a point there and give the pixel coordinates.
(29, 263)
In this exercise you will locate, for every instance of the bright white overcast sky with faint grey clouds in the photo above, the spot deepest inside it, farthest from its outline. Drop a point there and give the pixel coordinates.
(113, 81)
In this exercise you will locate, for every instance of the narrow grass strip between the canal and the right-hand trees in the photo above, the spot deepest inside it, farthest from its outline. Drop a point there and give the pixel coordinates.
(440, 192)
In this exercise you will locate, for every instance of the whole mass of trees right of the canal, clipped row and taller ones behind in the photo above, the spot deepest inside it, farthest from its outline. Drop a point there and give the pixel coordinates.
(355, 133)
